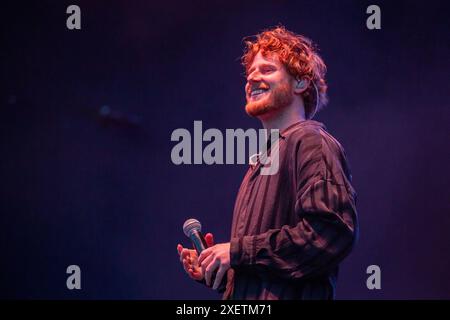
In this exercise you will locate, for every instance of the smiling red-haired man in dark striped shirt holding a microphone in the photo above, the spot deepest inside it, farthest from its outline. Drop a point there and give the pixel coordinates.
(290, 230)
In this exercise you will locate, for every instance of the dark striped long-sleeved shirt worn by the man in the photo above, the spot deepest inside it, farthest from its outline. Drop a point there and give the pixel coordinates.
(290, 230)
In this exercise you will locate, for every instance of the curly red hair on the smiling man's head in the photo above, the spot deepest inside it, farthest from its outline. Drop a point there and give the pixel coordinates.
(299, 55)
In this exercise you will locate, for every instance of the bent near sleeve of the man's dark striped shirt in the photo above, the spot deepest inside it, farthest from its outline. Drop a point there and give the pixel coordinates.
(327, 227)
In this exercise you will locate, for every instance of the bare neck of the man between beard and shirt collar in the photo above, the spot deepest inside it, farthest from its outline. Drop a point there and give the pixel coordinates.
(281, 119)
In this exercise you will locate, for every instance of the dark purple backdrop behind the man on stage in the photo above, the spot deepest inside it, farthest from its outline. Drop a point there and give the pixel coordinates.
(104, 194)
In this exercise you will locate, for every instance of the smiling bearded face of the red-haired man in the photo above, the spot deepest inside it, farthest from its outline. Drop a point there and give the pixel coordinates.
(269, 86)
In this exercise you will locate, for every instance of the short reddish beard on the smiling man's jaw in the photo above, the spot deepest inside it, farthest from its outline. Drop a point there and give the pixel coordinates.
(278, 98)
